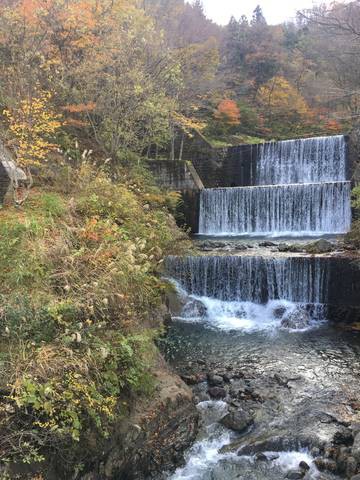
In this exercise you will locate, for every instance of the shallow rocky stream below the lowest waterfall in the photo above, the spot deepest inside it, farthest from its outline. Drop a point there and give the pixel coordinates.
(279, 404)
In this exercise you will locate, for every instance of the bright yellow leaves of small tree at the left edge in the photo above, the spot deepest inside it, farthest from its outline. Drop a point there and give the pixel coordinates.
(32, 123)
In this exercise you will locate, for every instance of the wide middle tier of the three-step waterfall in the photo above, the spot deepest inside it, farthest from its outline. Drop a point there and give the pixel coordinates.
(301, 209)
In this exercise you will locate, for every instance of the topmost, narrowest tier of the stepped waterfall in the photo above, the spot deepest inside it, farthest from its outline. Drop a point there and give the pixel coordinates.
(320, 159)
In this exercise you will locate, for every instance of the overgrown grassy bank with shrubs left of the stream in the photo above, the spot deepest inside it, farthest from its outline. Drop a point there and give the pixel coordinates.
(79, 296)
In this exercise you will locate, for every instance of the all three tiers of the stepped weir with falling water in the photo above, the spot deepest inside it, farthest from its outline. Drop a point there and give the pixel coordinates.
(301, 188)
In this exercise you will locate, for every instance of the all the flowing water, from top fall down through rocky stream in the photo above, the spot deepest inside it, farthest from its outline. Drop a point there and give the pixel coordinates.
(301, 190)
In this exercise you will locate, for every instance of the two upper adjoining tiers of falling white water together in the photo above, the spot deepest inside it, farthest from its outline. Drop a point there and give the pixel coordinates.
(301, 190)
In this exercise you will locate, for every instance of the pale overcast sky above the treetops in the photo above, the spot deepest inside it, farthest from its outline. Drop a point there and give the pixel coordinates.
(276, 11)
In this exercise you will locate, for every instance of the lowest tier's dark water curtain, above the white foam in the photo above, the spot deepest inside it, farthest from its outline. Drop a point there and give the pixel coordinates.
(252, 279)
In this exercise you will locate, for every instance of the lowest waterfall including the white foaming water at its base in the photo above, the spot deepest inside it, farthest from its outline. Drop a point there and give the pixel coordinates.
(251, 293)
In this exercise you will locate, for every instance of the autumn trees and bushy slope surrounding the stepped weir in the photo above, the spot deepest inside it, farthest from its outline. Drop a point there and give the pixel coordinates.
(89, 90)
